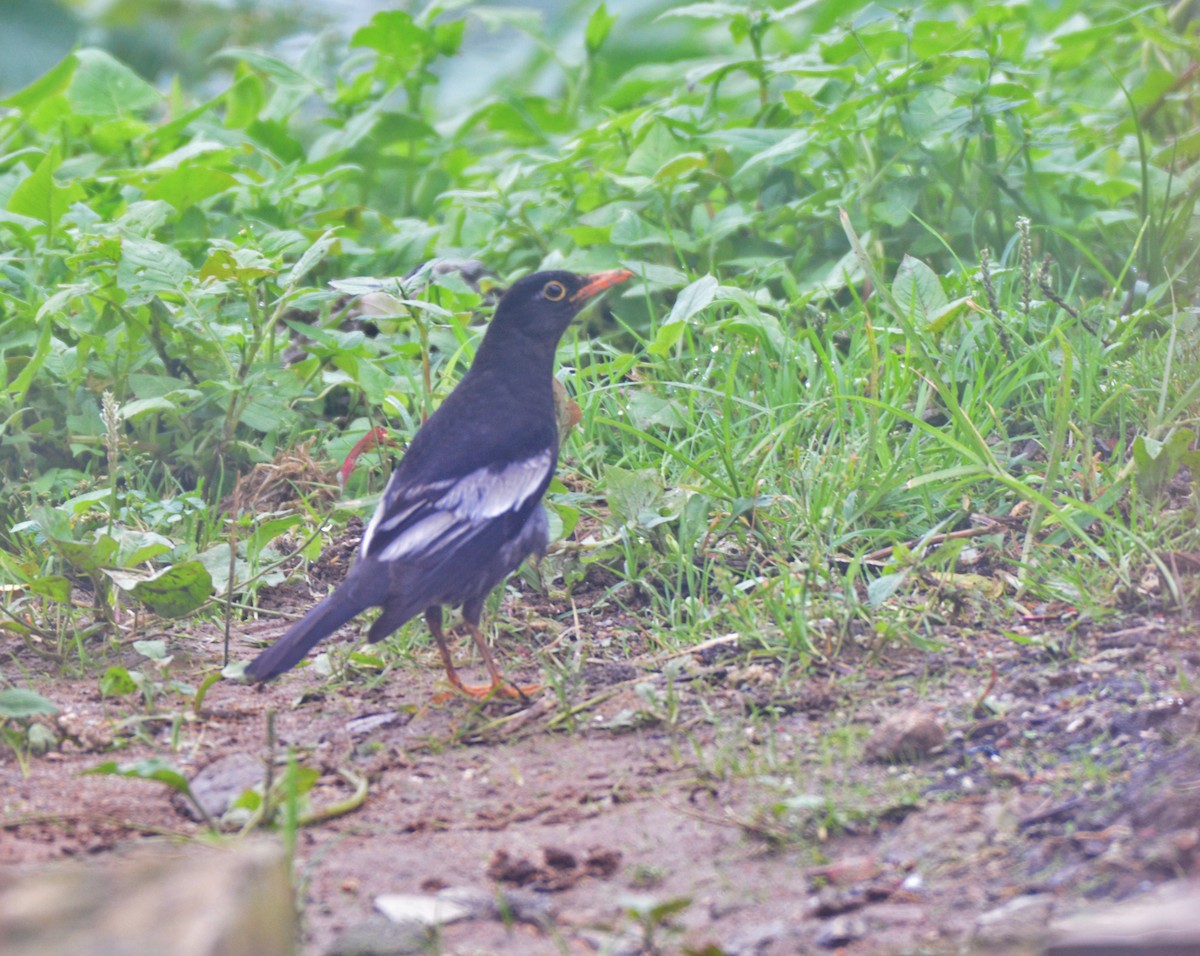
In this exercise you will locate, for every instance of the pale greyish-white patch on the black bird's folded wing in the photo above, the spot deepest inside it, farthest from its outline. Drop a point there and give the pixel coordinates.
(460, 510)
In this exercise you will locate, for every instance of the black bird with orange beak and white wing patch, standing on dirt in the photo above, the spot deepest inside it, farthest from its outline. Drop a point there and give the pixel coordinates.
(464, 508)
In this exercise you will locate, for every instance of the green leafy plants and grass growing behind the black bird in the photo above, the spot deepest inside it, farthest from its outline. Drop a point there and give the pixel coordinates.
(842, 345)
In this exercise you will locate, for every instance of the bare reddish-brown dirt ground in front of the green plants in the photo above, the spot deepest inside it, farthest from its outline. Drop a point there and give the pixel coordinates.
(716, 802)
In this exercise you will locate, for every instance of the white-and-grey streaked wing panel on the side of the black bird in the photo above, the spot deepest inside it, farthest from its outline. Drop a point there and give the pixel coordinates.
(417, 521)
